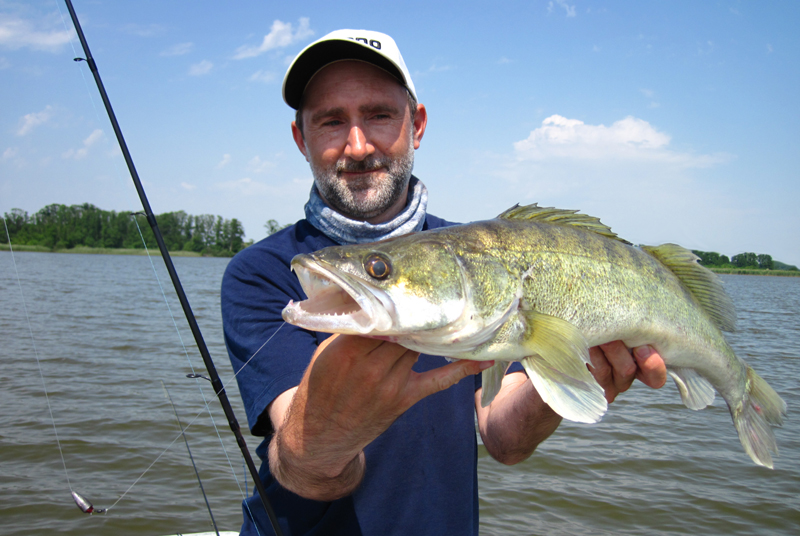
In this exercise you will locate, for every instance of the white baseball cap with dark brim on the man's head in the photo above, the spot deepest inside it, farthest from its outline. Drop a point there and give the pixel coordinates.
(373, 47)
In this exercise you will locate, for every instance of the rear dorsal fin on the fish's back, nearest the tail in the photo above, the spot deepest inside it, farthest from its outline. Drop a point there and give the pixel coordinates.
(701, 282)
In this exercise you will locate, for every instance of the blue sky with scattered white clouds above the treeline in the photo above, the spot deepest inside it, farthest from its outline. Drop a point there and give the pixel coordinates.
(671, 121)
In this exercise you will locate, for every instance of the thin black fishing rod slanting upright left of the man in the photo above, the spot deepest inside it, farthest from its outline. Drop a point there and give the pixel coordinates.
(216, 383)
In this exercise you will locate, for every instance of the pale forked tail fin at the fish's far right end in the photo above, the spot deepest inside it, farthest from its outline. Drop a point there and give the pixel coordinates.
(761, 409)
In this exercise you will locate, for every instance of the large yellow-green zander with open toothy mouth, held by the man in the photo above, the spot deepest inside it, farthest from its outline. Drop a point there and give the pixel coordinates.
(540, 286)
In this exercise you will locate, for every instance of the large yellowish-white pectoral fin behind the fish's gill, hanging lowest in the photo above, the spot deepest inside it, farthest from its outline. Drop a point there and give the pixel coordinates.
(557, 368)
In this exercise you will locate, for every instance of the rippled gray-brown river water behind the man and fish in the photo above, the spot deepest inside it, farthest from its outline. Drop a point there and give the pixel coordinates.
(106, 341)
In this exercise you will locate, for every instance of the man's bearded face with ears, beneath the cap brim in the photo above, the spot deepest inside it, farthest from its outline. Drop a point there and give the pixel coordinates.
(359, 138)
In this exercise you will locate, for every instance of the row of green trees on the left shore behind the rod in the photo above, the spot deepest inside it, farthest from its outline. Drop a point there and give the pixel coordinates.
(63, 227)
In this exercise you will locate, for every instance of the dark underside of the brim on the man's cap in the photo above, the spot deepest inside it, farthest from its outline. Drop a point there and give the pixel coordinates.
(321, 54)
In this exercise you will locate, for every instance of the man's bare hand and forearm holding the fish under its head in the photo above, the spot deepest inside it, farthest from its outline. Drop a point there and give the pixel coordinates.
(352, 391)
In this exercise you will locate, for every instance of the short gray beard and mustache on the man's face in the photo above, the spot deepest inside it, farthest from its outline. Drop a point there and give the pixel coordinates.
(364, 198)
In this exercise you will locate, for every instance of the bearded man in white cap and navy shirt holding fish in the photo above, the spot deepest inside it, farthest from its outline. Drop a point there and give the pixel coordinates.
(365, 436)
